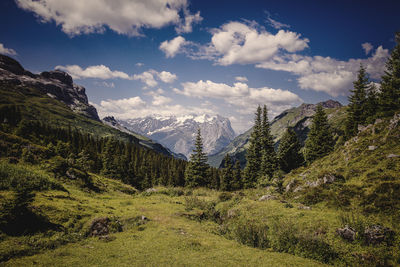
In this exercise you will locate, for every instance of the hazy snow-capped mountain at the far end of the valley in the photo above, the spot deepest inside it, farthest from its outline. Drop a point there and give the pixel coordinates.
(178, 133)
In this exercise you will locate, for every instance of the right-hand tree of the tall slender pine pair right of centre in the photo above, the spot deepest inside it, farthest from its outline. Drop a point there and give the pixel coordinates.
(268, 154)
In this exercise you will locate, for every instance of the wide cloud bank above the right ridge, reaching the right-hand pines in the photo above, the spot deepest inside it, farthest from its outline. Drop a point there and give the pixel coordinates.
(326, 74)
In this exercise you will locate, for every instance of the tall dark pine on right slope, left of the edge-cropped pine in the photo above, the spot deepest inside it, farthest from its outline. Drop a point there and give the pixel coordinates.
(356, 113)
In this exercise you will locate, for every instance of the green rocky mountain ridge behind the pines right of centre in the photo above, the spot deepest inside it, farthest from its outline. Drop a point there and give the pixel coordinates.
(299, 118)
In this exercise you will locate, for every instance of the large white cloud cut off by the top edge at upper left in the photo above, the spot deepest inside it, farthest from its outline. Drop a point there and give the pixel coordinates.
(122, 16)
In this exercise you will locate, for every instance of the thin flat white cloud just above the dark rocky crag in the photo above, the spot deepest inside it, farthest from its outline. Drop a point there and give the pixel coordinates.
(98, 71)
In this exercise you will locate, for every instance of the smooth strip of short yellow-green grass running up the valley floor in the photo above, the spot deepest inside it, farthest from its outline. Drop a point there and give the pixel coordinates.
(168, 239)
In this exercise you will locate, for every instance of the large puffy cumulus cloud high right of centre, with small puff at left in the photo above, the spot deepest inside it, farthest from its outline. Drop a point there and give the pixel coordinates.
(238, 43)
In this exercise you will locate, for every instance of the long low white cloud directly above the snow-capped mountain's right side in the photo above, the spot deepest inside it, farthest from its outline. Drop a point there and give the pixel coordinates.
(241, 95)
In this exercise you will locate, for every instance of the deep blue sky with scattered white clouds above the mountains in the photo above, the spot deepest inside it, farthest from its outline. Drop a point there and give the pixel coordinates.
(178, 57)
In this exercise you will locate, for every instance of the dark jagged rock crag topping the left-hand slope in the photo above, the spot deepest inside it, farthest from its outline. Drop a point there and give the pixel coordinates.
(56, 84)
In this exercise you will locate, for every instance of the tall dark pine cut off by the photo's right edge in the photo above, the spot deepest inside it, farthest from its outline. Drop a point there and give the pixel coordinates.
(389, 97)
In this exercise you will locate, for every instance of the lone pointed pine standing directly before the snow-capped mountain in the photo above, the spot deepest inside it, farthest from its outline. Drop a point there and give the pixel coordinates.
(196, 170)
